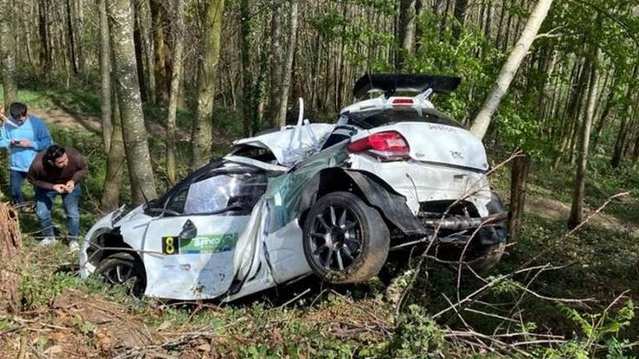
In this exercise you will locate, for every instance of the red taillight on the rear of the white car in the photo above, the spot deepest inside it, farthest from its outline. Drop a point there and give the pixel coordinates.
(386, 145)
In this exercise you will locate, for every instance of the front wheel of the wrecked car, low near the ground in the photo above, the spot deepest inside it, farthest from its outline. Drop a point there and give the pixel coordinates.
(123, 269)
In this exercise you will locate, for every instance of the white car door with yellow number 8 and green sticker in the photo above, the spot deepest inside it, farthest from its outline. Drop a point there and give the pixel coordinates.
(189, 250)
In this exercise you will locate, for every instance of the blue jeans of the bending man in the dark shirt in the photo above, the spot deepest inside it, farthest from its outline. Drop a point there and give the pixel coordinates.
(44, 202)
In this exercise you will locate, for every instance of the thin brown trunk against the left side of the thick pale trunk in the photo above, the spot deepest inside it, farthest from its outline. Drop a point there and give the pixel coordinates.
(115, 165)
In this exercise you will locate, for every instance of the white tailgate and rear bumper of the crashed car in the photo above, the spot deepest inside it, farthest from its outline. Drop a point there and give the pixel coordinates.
(446, 163)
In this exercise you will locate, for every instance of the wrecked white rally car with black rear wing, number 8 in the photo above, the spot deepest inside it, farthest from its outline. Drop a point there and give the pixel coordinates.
(340, 201)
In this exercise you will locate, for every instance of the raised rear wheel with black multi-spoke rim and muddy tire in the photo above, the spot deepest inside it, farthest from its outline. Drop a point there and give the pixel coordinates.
(345, 240)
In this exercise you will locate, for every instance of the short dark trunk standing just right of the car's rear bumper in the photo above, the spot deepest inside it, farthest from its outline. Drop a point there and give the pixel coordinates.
(519, 178)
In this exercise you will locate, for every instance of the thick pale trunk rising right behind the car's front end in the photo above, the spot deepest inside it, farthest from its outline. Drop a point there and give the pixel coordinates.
(130, 104)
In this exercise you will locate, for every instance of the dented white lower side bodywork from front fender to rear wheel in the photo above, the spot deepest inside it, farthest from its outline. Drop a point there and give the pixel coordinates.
(197, 276)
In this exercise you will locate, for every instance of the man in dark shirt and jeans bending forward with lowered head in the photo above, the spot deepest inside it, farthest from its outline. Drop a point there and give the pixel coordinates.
(58, 170)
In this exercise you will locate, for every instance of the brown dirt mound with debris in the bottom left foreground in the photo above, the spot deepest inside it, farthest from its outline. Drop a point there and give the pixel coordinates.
(81, 325)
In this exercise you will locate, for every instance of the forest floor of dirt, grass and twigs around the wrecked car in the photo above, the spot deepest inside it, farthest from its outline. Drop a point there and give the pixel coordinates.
(576, 296)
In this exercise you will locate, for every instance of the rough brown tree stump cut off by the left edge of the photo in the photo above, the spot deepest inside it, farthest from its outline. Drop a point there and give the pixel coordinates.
(10, 262)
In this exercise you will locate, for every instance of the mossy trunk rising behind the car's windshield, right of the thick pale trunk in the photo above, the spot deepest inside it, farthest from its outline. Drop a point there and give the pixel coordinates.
(202, 134)
